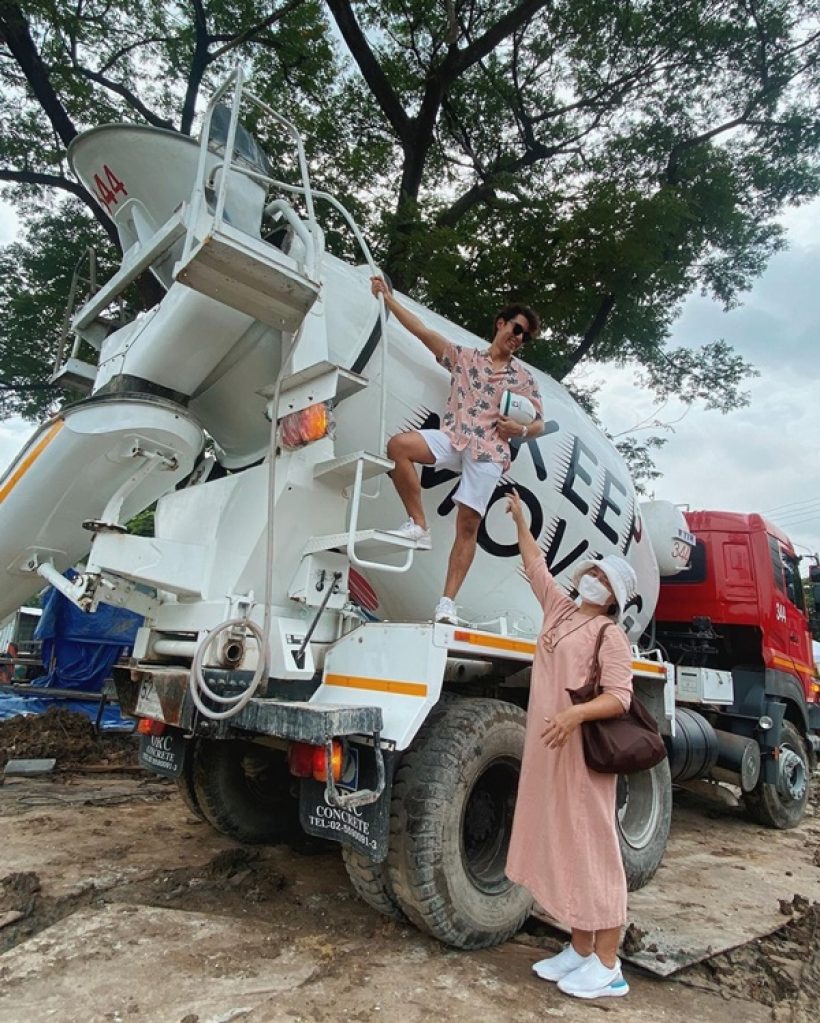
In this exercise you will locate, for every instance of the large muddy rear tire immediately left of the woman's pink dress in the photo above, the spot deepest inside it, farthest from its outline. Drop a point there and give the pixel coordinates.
(451, 819)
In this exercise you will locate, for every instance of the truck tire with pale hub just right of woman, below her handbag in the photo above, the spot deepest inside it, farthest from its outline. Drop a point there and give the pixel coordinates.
(644, 817)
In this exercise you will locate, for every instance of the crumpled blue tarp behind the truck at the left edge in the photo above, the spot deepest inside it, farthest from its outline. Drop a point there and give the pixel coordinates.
(79, 652)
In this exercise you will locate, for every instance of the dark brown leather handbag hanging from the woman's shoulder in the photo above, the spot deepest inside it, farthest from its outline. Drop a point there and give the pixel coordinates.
(620, 745)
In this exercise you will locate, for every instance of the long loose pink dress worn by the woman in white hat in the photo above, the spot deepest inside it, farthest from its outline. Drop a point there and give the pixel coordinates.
(564, 847)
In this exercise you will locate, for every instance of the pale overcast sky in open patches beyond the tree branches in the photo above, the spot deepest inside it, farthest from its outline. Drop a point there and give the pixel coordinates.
(760, 459)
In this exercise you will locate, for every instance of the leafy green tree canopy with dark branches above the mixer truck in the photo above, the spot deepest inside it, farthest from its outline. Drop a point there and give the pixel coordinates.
(598, 160)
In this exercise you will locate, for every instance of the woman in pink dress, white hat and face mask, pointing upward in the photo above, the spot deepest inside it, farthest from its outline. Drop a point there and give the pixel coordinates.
(565, 846)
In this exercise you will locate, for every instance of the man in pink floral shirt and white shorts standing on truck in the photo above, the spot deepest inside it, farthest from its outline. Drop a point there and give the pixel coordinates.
(475, 437)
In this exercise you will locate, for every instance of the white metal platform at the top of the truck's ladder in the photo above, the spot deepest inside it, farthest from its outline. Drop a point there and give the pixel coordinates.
(251, 276)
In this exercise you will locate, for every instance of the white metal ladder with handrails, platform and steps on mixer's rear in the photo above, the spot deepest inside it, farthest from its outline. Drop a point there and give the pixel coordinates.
(250, 276)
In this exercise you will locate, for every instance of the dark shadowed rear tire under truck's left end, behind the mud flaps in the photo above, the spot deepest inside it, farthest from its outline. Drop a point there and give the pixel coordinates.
(244, 791)
